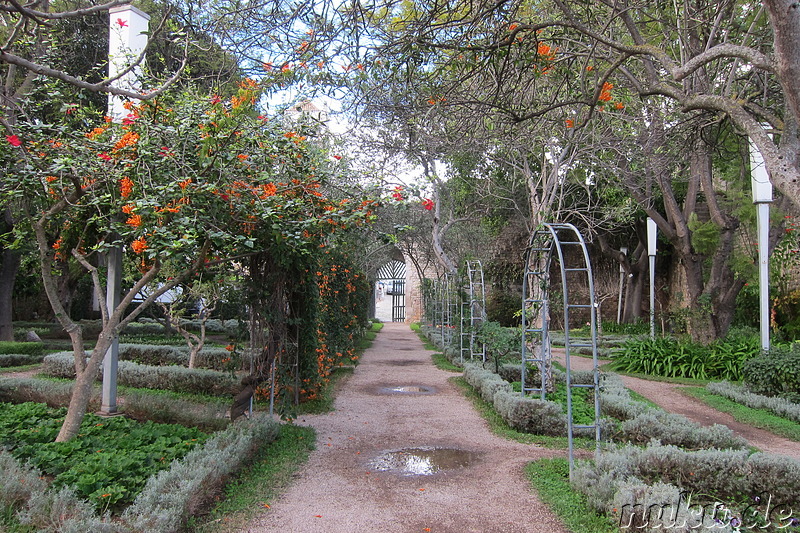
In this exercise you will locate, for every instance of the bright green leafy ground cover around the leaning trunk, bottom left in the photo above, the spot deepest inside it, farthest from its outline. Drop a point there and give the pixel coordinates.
(110, 460)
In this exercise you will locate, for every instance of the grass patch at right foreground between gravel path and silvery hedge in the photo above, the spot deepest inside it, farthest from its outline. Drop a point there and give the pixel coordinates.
(550, 478)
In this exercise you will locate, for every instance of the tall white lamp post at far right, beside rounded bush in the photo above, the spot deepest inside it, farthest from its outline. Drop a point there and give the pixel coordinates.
(762, 197)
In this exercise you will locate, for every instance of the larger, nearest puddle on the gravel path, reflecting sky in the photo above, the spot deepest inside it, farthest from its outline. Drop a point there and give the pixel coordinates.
(423, 461)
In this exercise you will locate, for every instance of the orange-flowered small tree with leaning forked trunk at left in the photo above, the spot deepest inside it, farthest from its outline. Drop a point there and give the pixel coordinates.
(184, 180)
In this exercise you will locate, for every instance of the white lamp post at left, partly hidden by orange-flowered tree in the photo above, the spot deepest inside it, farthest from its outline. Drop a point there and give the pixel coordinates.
(127, 39)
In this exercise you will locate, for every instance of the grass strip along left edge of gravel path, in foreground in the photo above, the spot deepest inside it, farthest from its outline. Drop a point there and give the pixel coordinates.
(252, 492)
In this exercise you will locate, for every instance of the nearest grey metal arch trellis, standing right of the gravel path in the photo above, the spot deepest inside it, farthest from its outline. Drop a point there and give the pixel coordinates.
(536, 315)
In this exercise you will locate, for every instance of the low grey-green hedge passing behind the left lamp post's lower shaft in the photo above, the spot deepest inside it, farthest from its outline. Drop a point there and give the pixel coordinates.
(176, 378)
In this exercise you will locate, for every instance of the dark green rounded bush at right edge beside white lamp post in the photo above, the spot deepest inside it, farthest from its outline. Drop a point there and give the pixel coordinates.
(776, 373)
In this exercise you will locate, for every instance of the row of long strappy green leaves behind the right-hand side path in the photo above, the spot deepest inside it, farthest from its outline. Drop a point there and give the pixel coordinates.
(668, 357)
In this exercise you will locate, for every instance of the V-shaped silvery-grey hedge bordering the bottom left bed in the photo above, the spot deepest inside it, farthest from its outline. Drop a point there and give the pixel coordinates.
(165, 504)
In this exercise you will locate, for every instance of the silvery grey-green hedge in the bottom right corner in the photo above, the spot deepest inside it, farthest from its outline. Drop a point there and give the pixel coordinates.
(651, 488)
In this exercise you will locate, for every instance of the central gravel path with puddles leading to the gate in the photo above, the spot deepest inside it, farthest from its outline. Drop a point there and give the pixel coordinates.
(341, 489)
